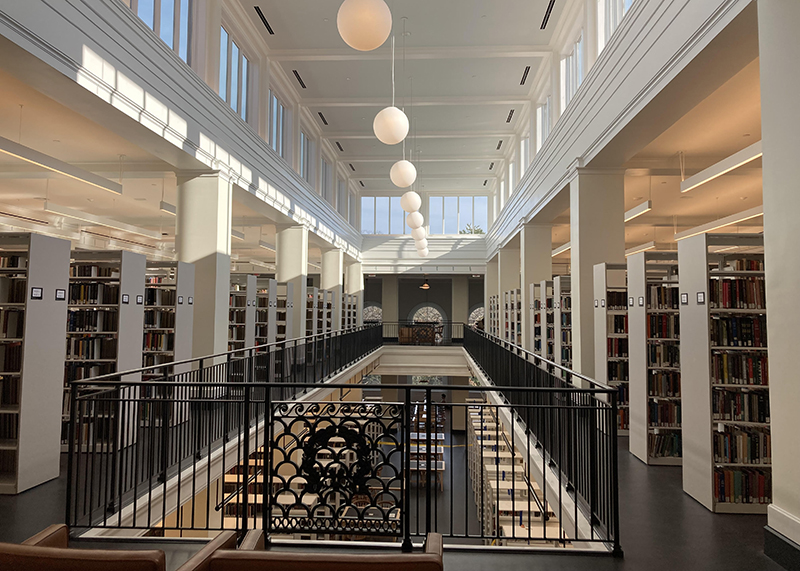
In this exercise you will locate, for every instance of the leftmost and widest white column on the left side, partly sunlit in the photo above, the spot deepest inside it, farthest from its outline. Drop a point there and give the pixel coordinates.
(204, 239)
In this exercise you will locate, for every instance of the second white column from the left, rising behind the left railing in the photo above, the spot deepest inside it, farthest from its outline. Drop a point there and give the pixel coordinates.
(291, 259)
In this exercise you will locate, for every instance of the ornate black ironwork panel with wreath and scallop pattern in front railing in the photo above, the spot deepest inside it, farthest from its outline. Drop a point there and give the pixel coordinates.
(337, 468)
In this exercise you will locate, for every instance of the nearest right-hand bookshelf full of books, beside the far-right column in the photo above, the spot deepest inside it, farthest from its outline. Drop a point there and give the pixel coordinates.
(724, 352)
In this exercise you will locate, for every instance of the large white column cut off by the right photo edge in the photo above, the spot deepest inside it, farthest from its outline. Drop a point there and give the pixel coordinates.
(779, 46)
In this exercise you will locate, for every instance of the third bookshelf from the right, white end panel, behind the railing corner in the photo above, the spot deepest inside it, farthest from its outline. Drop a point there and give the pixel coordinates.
(611, 334)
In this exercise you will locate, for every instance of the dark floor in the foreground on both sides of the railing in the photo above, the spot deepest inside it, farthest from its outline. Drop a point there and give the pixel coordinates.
(663, 529)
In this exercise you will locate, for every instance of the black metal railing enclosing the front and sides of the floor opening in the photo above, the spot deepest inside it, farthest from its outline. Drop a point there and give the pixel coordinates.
(247, 443)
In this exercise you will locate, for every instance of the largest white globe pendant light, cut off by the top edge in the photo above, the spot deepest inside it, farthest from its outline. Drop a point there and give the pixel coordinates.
(364, 24)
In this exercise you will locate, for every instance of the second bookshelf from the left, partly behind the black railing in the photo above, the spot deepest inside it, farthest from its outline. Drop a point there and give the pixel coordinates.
(105, 323)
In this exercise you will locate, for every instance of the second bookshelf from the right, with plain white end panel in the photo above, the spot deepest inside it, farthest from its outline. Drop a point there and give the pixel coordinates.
(654, 358)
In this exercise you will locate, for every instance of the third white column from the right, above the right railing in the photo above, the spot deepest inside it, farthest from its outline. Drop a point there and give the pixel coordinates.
(536, 243)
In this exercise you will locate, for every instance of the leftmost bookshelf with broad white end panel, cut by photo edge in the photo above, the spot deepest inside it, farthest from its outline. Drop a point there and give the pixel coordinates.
(34, 272)
